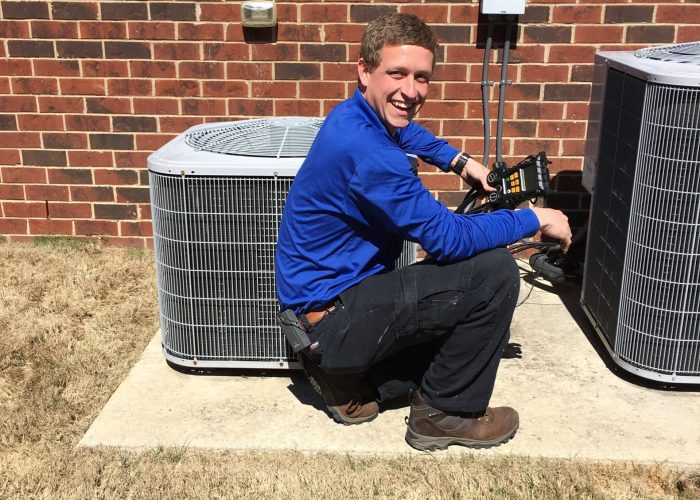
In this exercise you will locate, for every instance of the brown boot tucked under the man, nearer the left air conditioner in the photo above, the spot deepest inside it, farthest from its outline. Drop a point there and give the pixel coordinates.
(349, 398)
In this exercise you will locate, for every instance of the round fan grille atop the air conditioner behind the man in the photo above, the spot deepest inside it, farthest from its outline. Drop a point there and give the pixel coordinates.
(276, 138)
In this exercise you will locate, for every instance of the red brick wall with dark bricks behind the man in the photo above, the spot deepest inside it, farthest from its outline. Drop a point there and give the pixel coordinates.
(89, 89)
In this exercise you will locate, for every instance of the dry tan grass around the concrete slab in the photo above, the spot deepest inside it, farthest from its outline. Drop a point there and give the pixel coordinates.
(74, 316)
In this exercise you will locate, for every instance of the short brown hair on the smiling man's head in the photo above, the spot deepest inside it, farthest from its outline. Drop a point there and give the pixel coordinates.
(395, 29)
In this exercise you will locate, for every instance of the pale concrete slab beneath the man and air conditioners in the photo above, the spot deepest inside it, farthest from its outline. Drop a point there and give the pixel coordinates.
(571, 404)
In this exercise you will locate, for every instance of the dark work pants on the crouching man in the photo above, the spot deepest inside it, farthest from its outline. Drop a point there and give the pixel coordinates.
(449, 323)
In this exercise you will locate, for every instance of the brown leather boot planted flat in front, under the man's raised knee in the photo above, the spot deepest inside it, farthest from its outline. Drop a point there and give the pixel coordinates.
(430, 428)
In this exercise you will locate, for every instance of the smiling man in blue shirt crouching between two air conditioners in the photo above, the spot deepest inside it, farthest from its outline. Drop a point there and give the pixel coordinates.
(354, 201)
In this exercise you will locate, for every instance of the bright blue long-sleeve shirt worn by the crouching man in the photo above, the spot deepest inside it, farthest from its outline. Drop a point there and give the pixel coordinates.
(356, 199)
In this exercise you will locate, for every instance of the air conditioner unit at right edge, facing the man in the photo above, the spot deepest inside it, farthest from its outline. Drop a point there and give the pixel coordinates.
(641, 287)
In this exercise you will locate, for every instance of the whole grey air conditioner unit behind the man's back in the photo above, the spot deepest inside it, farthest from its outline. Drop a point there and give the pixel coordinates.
(217, 195)
